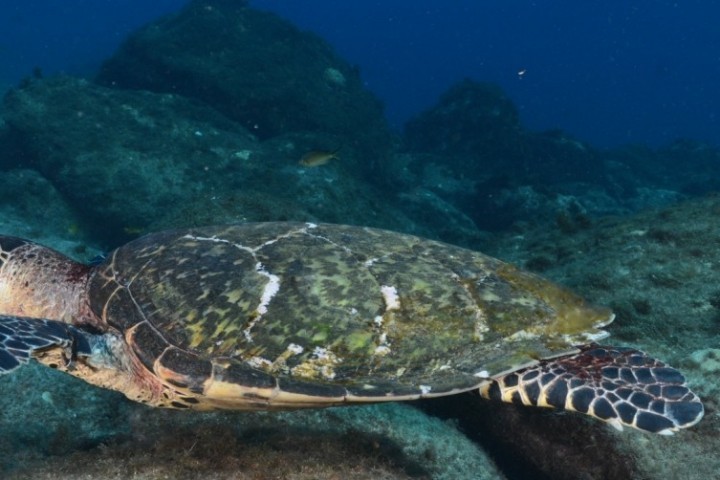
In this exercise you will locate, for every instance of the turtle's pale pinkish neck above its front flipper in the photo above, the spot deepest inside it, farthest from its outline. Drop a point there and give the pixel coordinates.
(36, 281)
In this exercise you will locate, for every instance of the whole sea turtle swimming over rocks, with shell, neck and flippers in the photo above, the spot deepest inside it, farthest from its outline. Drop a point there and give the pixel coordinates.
(266, 316)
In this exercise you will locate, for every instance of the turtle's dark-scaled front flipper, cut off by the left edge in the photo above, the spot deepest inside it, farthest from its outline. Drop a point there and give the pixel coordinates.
(23, 337)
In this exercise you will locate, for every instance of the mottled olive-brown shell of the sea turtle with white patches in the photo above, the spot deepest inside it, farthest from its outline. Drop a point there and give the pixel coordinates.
(375, 312)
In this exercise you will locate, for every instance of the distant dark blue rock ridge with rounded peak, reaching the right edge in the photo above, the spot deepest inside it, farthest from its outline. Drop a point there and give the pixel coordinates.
(472, 151)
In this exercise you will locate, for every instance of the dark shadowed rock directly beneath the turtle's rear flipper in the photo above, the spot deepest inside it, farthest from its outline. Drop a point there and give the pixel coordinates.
(539, 443)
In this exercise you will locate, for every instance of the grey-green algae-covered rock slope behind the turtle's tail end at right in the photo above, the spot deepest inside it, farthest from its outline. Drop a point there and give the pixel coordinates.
(658, 270)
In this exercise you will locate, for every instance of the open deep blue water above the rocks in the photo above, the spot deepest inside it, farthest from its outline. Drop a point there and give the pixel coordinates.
(608, 72)
